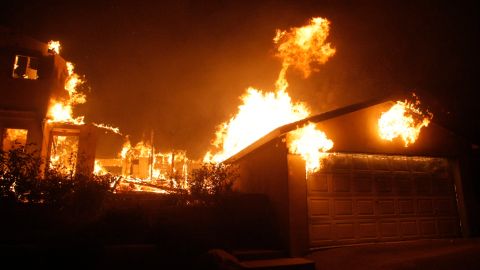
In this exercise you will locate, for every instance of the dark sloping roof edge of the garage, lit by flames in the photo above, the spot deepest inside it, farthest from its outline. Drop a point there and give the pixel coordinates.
(392, 97)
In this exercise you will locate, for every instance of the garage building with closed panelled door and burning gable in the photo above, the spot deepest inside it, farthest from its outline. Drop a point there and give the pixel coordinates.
(366, 189)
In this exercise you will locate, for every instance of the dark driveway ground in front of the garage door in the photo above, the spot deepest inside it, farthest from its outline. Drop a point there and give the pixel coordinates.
(423, 254)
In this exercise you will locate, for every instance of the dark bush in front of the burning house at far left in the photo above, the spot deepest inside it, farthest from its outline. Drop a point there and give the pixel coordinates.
(21, 181)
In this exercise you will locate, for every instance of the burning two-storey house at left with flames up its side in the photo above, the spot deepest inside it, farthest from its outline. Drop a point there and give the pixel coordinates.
(37, 89)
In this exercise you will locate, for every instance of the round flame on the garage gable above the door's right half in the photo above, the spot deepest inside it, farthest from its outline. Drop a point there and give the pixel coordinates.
(404, 120)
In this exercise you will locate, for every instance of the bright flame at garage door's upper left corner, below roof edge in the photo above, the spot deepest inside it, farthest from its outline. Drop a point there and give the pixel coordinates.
(311, 143)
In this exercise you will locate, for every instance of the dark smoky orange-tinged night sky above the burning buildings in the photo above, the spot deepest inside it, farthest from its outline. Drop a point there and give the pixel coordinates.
(179, 66)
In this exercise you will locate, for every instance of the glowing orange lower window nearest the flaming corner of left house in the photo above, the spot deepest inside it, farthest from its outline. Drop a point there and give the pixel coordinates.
(63, 153)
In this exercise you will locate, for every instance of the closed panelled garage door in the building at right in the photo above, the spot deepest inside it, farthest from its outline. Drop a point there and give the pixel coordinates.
(372, 198)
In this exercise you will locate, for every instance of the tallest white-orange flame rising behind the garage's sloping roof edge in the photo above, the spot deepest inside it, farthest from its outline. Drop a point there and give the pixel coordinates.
(261, 112)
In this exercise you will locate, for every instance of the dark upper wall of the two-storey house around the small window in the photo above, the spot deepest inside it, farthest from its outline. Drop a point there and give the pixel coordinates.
(24, 102)
